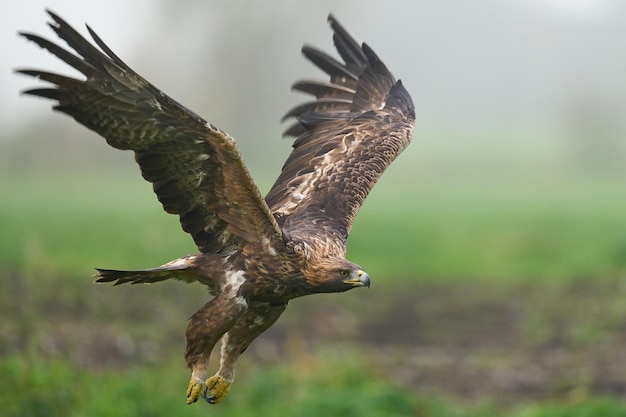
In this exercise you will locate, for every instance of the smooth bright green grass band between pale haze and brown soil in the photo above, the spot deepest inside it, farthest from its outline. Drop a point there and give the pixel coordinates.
(575, 231)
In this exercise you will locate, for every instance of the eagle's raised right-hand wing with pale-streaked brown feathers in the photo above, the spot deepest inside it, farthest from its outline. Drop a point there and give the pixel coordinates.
(359, 123)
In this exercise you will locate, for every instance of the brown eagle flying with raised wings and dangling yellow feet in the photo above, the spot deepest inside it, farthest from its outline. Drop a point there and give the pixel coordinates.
(255, 254)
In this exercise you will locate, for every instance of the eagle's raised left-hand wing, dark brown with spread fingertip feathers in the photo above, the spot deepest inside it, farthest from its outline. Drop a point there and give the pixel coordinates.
(196, 169)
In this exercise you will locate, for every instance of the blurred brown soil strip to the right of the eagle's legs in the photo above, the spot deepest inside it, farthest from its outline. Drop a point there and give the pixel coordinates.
(504, 343)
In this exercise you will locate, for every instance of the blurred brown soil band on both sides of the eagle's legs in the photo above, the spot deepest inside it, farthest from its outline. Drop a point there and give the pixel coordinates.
(503, 342)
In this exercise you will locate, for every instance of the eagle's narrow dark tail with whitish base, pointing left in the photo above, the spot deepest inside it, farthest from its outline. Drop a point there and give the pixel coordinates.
(180, 269)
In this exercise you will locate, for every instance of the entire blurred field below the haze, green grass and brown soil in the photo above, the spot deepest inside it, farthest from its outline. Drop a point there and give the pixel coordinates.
(485, 302)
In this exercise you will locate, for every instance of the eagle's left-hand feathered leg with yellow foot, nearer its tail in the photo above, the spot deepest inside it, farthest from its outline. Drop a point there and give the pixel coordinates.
(205, 328)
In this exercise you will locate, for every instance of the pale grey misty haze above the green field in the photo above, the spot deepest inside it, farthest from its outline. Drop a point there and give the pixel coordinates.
(510, 88)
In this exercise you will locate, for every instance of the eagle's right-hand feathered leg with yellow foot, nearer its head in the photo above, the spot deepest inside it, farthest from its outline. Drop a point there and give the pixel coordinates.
(257, 319)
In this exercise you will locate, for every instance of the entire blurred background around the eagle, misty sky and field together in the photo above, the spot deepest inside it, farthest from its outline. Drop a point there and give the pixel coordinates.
(496, 242)
